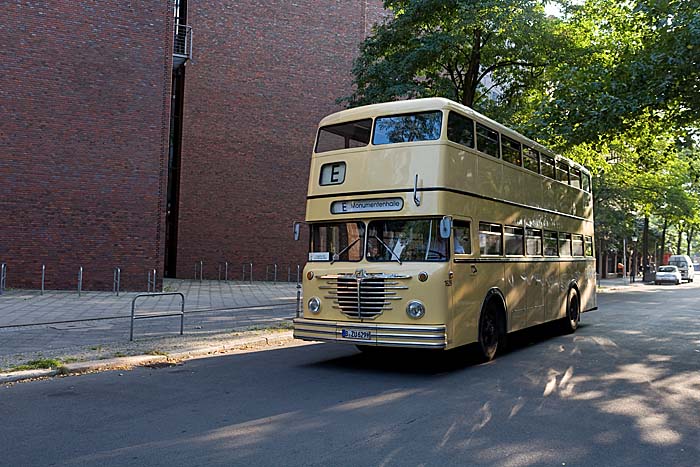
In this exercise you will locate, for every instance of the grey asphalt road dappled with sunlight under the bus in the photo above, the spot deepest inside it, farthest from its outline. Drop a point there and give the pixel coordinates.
(623, 390)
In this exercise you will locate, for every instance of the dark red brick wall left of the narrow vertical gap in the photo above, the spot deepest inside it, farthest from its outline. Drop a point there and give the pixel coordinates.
(84, 99)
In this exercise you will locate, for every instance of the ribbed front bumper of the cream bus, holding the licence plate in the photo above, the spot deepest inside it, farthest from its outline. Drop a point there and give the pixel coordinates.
(388, 335)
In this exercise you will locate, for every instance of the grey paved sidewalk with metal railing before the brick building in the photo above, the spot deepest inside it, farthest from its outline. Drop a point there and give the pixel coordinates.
(60, 325)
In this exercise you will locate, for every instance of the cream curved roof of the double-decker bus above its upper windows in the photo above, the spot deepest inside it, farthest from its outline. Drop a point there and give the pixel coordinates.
(432, 103)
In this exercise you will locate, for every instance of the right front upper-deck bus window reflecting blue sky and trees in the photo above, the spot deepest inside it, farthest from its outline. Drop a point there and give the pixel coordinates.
(423, 126)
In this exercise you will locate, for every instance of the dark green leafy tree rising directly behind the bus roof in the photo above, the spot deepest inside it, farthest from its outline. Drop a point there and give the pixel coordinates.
(458, 49)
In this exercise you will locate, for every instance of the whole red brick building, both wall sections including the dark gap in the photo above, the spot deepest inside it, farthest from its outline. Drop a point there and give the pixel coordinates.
(123, 144)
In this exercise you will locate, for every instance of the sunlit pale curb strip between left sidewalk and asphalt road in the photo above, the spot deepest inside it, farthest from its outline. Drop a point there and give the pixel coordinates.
(126, 363)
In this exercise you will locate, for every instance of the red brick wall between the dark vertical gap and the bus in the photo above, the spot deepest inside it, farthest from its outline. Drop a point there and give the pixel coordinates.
(264, 73)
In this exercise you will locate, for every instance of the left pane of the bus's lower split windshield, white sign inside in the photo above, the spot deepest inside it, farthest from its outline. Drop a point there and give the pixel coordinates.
(337, 242)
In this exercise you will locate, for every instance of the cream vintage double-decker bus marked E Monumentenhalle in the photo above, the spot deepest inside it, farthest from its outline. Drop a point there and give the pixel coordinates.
(432, 226)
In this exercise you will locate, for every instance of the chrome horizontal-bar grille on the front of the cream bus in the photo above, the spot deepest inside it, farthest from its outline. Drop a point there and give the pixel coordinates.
(363, 295)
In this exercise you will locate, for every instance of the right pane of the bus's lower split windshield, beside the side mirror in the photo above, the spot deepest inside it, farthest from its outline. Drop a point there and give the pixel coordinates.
(405, 240)
